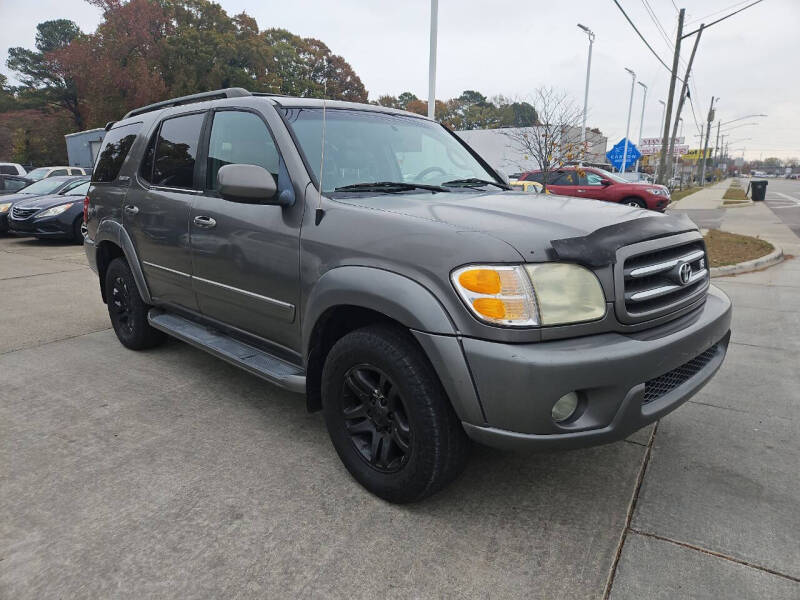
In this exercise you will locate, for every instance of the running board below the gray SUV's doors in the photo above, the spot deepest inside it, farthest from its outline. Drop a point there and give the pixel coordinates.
(244, 356)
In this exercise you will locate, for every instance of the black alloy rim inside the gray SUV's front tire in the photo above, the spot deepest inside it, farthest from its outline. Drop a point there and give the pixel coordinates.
(376, 418)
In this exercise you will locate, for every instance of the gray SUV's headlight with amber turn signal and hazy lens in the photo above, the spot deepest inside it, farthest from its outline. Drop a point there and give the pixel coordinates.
(530, 295)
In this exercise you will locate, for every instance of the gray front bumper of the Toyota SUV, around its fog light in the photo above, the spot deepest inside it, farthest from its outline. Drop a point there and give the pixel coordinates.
(518, 384)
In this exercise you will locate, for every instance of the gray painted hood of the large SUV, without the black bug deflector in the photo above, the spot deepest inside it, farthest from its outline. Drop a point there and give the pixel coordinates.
(525, 221)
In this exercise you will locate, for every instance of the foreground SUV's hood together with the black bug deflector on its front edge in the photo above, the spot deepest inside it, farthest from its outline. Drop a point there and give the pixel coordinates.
(530, 223)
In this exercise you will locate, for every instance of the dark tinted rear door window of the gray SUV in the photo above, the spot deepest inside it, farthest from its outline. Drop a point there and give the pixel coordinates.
(176, 150)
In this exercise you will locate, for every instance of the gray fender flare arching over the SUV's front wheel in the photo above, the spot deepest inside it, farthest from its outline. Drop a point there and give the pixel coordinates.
(394, 295)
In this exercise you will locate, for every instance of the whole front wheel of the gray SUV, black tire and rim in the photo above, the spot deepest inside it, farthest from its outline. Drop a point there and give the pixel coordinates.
(388, 416)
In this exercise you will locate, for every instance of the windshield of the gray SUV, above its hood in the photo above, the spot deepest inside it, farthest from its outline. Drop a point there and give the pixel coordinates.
(367, 147)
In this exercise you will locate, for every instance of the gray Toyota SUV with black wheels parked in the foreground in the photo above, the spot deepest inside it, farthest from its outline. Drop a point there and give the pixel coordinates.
(369, 259)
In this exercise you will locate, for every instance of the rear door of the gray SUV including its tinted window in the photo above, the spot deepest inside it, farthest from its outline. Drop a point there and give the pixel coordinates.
(156, 211)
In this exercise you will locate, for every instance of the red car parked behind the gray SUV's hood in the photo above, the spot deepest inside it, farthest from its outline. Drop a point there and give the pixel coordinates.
(598, 184)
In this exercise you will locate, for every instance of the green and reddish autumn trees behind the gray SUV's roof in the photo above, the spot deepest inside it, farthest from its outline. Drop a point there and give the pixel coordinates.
(149, 50)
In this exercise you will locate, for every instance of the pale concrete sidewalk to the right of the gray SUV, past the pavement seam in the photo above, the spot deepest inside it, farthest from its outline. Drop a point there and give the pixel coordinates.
(716, 515)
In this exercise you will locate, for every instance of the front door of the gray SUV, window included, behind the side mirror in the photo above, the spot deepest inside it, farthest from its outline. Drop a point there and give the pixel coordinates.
(246, 256)
